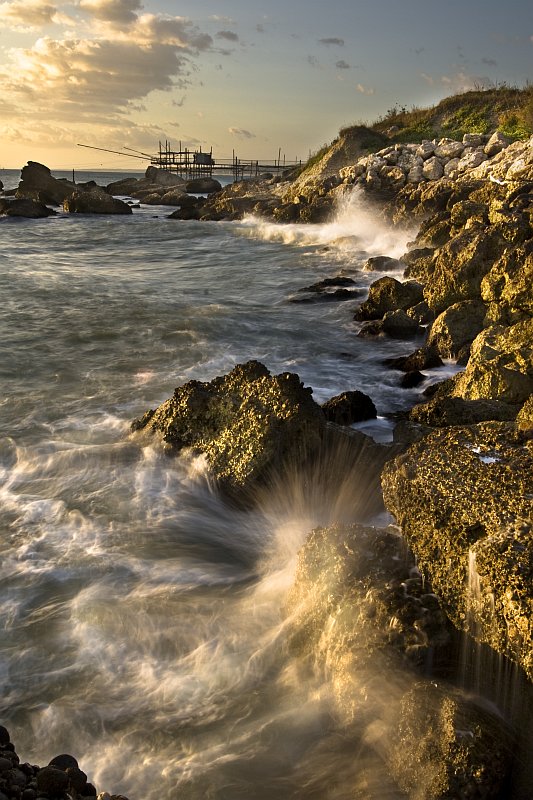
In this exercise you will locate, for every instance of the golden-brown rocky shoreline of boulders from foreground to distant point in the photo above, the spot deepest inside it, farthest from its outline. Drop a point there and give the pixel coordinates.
(458, 476)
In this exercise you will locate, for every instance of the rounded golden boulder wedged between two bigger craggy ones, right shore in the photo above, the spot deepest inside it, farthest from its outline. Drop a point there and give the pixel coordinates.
(457, 327)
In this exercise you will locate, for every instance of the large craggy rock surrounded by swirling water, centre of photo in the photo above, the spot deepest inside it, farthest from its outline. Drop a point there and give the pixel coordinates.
(247, 423)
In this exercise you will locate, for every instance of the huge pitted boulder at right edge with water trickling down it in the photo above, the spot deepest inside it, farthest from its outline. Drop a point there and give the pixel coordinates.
(462, 496)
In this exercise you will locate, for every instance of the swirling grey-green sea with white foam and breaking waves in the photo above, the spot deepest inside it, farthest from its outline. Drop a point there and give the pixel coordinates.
(142, 616)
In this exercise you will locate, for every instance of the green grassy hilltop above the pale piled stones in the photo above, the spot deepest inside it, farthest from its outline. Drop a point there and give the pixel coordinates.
(509, 110)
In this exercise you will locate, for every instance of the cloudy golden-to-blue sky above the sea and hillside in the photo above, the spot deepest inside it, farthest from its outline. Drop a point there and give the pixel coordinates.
(238, 76)
